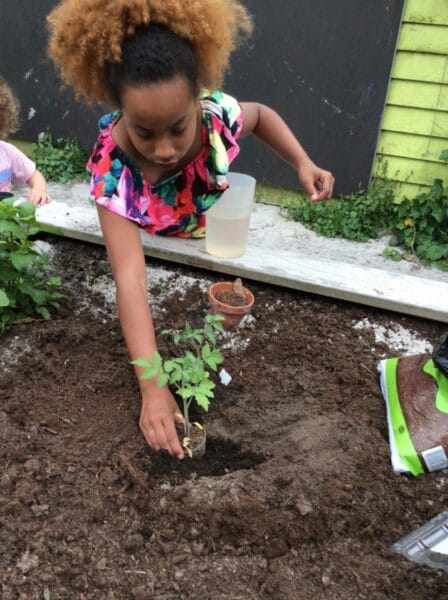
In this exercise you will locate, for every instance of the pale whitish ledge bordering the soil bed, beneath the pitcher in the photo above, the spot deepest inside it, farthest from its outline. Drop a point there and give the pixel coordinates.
(76, 217)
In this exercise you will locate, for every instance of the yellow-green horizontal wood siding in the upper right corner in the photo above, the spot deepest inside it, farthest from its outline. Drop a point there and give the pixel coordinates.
(414, 130)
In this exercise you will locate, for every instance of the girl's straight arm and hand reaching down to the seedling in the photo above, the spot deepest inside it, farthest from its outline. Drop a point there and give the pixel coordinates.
(125, 252)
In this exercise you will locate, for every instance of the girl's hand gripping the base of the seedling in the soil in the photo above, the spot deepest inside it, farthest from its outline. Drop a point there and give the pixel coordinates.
(158, 415)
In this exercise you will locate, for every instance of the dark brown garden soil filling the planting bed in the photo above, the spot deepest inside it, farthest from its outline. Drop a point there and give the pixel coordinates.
(295, 498)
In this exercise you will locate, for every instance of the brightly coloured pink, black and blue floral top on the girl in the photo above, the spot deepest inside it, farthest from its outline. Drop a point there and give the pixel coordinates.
(176, 205)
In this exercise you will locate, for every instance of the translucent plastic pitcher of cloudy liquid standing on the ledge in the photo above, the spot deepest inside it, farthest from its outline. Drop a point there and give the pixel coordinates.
(227, 222)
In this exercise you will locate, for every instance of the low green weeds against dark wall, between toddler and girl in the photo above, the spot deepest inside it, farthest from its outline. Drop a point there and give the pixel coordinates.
(61, 161)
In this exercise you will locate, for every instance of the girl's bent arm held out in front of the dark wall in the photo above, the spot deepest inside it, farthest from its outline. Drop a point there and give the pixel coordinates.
(270, 128)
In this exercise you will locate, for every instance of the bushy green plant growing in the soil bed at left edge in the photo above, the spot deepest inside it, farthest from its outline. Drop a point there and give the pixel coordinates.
(25, 290)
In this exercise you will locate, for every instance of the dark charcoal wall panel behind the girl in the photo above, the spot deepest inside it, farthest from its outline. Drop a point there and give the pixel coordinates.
(323, 64)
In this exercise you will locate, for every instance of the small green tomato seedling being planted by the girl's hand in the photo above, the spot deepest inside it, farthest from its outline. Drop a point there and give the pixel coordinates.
(188, 372)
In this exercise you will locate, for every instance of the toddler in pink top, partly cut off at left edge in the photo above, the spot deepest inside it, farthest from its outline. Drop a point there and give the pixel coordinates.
(14, 165)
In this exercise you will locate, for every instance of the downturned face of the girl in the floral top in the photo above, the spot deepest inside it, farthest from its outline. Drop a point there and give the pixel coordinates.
(161, 120)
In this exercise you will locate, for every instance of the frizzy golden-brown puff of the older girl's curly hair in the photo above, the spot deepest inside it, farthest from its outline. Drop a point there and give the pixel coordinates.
(87, 35)
